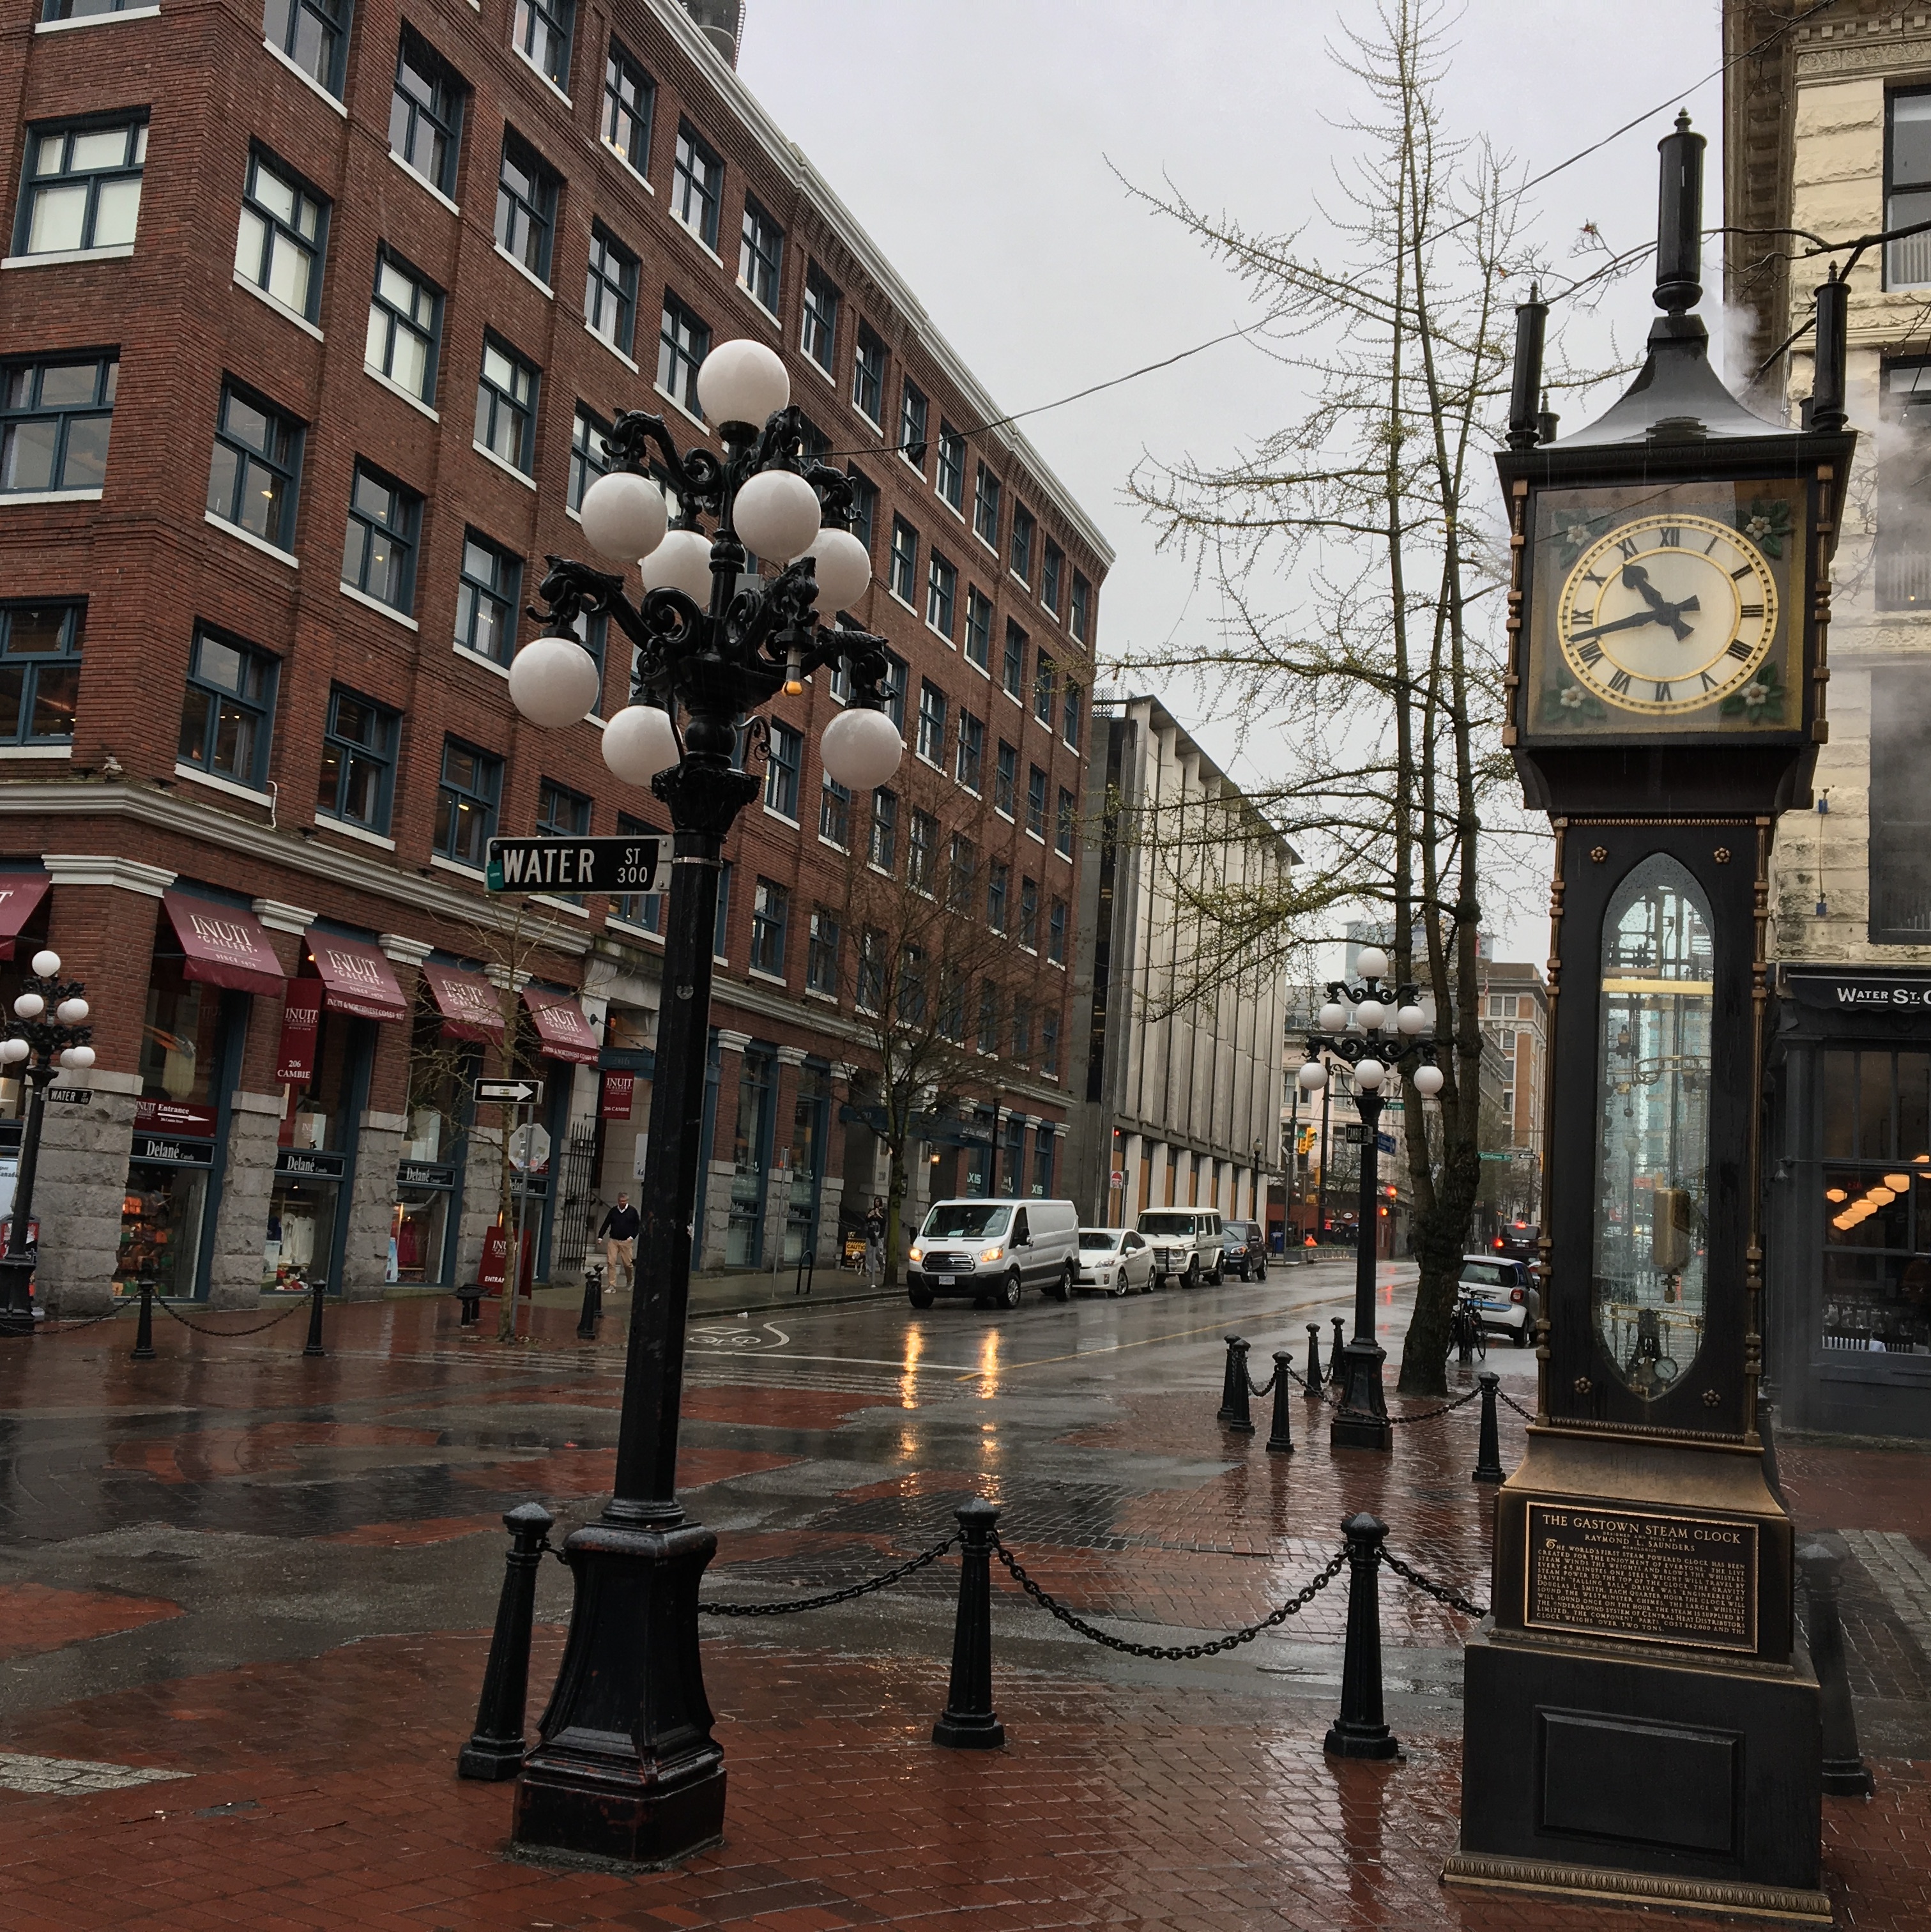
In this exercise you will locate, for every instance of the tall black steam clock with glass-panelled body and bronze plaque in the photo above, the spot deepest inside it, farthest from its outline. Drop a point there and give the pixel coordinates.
(1640, 1717)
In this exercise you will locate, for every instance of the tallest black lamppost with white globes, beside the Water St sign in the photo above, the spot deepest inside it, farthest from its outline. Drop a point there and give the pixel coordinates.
(627, 1767)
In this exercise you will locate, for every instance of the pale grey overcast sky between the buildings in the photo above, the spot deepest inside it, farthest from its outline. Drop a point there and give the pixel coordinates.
(982, 142)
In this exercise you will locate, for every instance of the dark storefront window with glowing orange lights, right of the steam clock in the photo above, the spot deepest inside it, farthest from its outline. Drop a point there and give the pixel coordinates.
(1876, 1203)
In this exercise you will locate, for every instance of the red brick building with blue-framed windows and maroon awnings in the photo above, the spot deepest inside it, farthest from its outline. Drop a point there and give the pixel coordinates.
(331, 289)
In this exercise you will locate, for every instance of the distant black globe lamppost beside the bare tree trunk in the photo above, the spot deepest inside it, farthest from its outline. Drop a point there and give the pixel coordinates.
(1358, 1025)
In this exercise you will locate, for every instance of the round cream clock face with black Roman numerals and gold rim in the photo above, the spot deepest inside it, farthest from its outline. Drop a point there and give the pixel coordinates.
(1667, 613)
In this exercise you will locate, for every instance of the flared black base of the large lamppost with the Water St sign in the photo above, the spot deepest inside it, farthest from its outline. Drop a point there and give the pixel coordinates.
(629, 1769)
